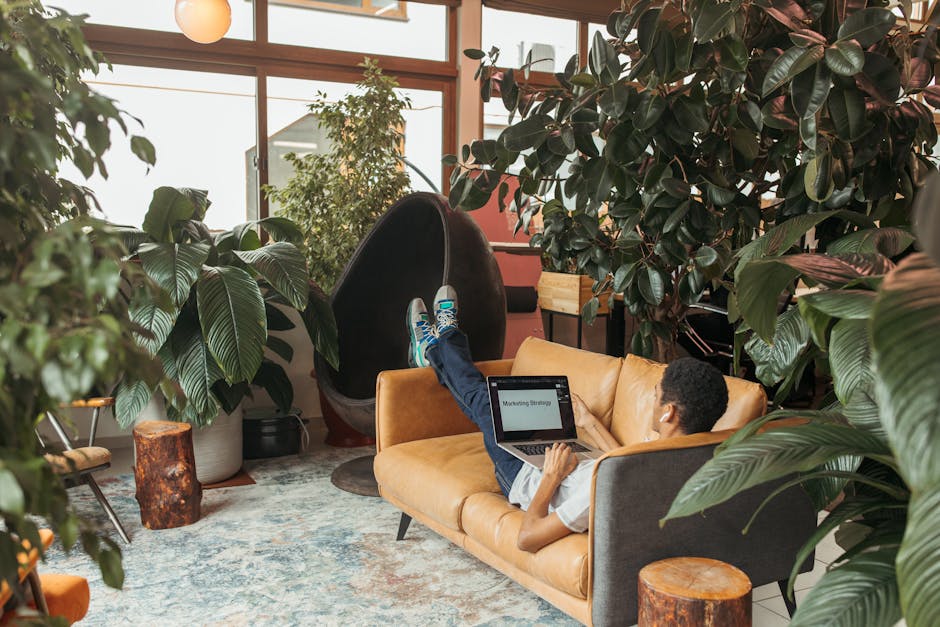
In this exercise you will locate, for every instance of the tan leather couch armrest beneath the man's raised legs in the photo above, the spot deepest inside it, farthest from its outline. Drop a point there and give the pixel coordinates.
(411, 405)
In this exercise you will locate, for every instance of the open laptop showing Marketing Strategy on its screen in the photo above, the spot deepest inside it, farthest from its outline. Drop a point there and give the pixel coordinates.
(532, 413)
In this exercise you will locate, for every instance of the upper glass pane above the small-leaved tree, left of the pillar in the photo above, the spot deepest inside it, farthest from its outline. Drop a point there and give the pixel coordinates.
(419, 33)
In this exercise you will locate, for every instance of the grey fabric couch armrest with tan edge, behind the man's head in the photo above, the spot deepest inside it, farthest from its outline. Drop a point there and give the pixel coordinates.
(634, 487)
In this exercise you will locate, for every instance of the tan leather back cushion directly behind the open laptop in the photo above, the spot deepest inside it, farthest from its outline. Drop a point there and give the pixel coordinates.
(591, 376)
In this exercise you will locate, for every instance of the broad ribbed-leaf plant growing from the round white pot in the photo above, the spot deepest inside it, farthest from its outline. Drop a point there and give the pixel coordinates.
(217, 306)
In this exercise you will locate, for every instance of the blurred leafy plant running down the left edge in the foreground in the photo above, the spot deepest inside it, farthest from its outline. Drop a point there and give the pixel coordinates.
(64, 330)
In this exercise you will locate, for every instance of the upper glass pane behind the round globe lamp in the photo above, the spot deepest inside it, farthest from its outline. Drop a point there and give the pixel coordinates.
(153, 15)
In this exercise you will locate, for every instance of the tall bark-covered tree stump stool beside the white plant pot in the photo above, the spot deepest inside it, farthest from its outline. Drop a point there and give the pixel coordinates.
(165, 473)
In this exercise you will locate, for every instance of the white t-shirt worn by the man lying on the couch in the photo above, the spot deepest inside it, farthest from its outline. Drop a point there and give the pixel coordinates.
(572, 499)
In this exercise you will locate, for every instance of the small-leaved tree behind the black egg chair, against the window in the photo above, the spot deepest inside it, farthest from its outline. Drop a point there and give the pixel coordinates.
(336, 197)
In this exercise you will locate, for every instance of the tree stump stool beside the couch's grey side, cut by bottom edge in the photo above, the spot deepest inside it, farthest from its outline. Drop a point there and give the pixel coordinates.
(693, 591)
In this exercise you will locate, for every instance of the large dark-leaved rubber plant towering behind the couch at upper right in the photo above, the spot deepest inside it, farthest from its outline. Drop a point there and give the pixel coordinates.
(695, 126)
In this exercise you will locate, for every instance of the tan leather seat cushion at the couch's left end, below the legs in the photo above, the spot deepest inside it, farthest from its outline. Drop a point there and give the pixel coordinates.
(435, 476)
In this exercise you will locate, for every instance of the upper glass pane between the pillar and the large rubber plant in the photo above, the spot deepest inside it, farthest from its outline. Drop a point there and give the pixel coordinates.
(551, 40)
